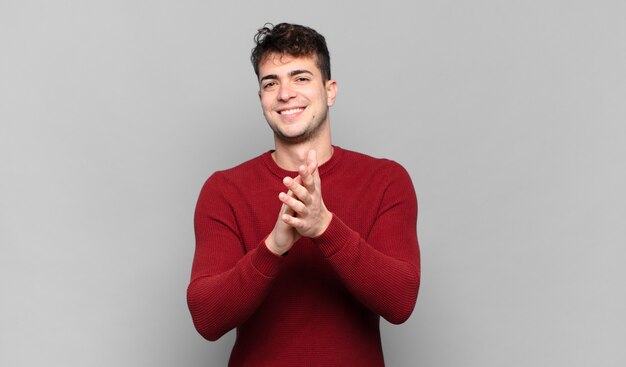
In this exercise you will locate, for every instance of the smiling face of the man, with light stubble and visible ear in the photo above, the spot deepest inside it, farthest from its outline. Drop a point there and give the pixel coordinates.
(294, 97)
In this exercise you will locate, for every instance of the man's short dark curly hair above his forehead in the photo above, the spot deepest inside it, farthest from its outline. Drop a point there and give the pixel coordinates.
(291, 39)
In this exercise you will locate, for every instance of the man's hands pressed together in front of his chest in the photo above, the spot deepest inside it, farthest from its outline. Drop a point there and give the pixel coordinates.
(303, 213)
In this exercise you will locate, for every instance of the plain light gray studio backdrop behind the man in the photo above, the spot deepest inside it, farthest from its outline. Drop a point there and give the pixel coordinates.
(509, 115)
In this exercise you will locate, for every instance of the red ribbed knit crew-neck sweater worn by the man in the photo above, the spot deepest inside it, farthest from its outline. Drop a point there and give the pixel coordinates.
(320, 304)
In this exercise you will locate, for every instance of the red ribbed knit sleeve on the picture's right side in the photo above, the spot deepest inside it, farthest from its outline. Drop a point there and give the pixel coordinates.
(383, 270)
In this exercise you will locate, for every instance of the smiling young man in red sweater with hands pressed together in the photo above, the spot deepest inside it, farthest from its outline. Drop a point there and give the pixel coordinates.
(303, 248)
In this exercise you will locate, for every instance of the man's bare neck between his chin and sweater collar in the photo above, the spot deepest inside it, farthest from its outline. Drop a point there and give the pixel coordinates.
(290, 157)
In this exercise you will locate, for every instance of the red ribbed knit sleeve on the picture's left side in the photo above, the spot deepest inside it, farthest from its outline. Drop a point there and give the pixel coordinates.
(227, 284)
